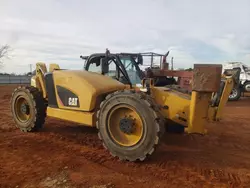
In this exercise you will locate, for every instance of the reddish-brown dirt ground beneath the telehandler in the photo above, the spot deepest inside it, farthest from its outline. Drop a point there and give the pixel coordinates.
(65, 154)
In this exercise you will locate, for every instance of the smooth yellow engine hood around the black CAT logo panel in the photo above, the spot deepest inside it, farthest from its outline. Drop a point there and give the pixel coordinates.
(87, 86)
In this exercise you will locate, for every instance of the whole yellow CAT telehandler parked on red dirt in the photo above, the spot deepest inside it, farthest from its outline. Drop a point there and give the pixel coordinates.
(130, 119)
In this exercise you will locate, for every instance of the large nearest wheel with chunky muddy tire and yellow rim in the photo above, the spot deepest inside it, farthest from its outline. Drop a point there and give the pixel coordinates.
(130, 146)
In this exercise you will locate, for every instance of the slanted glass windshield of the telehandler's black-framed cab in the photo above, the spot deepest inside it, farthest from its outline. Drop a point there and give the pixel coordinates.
(131, 70)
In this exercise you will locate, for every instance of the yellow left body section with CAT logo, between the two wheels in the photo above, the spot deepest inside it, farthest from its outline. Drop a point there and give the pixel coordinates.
(75, 93)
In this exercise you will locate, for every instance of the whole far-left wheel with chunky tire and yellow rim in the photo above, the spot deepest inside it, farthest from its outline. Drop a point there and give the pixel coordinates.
(28, 108)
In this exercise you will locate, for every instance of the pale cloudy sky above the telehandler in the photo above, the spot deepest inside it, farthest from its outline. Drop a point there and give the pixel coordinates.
(59, 31)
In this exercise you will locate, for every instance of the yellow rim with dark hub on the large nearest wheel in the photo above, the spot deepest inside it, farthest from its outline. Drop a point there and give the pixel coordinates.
(125, 125)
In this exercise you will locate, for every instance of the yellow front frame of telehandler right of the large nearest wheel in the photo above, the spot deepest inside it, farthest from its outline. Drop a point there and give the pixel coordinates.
(192, 111)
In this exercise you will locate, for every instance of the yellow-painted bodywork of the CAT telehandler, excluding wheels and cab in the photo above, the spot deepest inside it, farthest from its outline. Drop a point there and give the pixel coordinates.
(88, 88)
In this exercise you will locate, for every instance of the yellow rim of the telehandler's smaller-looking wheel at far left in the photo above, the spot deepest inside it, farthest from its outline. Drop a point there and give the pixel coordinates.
(22, 109)
